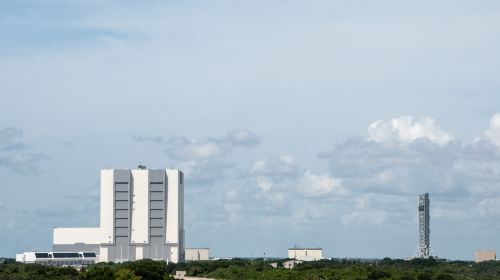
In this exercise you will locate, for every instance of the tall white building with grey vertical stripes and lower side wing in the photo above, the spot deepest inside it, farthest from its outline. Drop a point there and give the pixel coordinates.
(141, 217)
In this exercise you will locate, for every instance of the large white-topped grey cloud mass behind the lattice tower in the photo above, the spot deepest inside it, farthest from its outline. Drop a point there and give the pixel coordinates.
(402, 158)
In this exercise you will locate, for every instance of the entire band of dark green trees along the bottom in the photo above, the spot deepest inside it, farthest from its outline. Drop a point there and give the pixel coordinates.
(261, 269)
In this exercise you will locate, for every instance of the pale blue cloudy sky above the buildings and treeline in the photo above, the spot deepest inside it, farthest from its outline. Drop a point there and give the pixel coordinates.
(311, 123)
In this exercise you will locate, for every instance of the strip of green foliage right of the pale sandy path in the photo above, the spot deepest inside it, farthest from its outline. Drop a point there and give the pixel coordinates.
(416, 269)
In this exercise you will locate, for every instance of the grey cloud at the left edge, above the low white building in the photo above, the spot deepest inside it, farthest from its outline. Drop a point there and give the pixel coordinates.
(15, 155)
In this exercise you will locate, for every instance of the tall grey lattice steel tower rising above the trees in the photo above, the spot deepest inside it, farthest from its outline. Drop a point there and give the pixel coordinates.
(424, 250)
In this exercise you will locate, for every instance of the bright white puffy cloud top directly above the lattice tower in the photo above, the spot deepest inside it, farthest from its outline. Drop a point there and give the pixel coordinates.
(406, 129)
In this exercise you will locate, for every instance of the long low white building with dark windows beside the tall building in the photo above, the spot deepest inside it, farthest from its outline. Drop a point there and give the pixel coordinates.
(75, 259)
